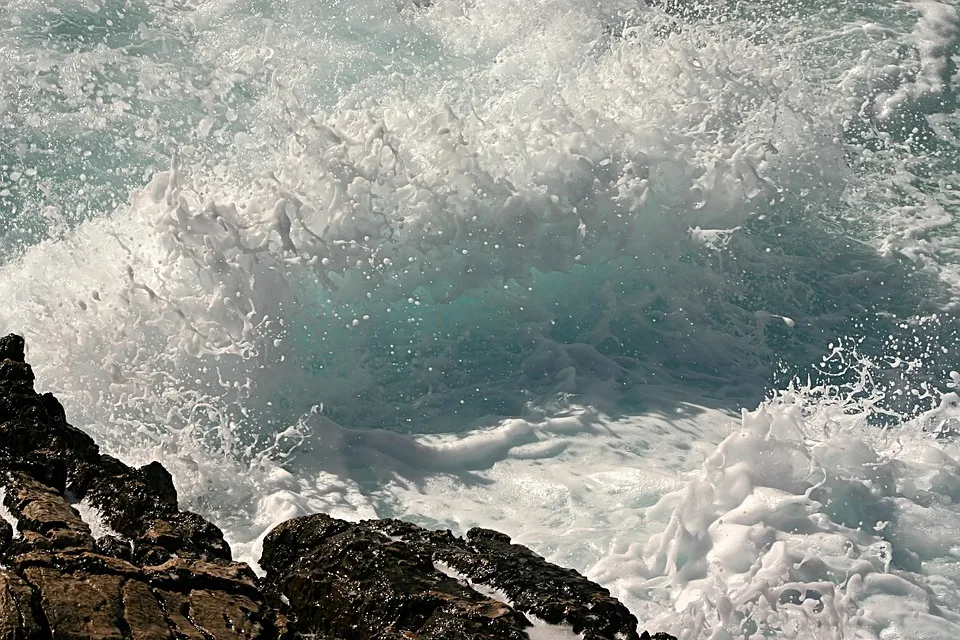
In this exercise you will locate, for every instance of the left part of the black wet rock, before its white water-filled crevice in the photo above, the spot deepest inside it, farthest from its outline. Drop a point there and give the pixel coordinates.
(340, 578)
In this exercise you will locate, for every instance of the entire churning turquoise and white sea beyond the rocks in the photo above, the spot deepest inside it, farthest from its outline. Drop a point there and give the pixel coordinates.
(667, 291)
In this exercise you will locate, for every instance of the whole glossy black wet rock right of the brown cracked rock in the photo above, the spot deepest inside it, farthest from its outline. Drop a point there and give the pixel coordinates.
(388, 577)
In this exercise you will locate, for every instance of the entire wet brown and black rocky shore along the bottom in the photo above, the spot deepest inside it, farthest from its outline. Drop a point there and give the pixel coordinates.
(155, 571)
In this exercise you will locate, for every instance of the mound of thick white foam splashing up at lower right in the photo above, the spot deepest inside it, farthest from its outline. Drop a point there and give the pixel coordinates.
(807, 523)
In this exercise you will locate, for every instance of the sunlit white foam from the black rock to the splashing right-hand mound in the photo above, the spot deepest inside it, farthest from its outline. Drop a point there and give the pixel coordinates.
(800, 522)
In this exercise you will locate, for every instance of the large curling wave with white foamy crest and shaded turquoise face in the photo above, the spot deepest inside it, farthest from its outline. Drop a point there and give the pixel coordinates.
(407, 215)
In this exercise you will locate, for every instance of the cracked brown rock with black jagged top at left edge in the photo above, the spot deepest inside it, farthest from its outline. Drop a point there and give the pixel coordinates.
(167, 574)
